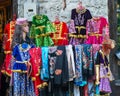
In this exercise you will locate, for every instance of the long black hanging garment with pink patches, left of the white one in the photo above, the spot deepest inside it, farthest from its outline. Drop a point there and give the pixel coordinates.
(61, 80)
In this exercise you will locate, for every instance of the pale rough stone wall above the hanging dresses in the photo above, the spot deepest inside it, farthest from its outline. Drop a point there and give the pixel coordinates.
(52, 8)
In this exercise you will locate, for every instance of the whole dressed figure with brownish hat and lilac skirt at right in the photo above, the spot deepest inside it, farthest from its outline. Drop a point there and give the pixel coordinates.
(102, 66)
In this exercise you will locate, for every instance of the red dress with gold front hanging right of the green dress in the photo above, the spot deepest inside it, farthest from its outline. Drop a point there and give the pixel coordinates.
(60, 37)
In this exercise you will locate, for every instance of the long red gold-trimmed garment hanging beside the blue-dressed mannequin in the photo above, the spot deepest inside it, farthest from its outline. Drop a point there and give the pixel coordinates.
(35, 61)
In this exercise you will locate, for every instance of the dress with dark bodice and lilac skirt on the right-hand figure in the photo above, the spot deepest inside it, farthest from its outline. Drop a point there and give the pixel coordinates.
(105, 73)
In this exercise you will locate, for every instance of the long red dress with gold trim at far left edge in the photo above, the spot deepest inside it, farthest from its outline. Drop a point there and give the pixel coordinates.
(8, 34)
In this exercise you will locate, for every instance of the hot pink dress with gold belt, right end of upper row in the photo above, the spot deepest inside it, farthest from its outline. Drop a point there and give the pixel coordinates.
(97, 29)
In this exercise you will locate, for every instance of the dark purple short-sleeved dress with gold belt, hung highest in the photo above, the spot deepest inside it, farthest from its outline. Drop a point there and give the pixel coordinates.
(80, 18)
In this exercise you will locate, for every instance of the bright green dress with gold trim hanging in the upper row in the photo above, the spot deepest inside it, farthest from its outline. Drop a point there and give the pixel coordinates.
(40, 30)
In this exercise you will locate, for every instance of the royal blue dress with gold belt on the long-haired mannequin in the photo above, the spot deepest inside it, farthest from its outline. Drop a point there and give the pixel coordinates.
(22, 83)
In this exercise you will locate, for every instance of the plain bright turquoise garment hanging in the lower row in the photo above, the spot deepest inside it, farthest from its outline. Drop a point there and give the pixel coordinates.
(44, 73)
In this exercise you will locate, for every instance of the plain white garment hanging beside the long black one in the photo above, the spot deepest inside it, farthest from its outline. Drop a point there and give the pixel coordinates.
(71, 63)
